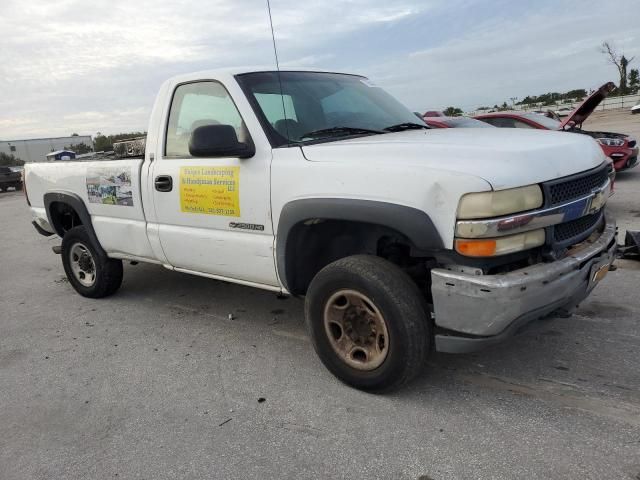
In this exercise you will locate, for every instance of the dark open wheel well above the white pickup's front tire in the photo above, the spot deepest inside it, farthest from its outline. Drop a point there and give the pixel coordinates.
(313, 244)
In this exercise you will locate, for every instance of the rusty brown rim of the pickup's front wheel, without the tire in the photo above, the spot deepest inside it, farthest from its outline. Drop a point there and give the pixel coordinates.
(356, 330)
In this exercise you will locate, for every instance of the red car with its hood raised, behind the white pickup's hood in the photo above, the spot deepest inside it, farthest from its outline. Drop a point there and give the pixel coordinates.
(620, 148)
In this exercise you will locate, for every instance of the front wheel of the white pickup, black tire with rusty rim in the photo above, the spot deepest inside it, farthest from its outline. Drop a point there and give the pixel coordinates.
(368, 322)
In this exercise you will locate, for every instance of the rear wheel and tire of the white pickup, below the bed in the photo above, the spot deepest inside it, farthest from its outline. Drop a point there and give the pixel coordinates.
(91, 273)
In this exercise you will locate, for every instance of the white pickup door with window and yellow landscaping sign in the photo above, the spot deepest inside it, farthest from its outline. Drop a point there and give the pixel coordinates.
(213, 214)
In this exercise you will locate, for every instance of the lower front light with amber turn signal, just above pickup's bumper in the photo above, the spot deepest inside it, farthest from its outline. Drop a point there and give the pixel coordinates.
(492, 247)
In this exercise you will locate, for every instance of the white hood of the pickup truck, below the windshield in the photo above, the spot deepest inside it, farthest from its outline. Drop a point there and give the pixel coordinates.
(506, 158)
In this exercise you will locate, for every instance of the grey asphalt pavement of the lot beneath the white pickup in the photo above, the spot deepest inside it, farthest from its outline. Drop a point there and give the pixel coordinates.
(178, 376)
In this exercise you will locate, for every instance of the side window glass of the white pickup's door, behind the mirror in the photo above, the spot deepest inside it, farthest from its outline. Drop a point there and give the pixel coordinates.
(195, 105)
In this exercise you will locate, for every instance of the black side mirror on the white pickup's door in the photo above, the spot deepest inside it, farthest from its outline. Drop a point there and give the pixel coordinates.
(218, 141)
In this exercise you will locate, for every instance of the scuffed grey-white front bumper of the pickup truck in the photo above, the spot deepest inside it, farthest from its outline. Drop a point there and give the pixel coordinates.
(475, 311)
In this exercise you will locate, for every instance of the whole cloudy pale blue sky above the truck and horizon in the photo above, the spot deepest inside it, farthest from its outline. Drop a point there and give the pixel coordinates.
(77, 66)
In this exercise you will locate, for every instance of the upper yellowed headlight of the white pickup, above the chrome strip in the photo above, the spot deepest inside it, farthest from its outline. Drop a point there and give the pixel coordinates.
(503, 202)
